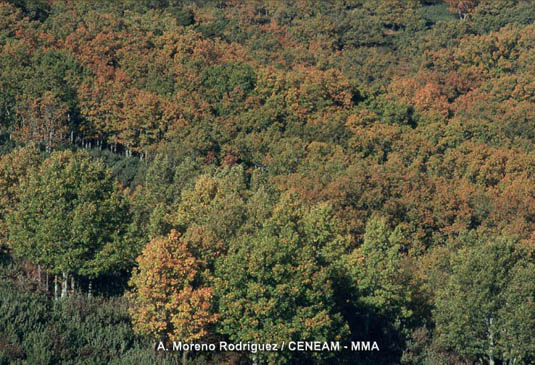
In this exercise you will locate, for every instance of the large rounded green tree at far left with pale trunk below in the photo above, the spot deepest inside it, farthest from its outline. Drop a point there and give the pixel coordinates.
(70, 218)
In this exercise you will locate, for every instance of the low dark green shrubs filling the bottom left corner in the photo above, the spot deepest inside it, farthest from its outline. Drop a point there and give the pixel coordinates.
(36, 330)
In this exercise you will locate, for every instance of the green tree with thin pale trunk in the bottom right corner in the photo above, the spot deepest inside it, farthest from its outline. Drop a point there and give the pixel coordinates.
(484, 311)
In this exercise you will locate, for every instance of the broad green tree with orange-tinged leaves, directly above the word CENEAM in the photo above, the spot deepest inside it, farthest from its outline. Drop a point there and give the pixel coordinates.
(278, 283)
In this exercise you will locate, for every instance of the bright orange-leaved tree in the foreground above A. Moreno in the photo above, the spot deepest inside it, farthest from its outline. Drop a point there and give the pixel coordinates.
(169, 301)
